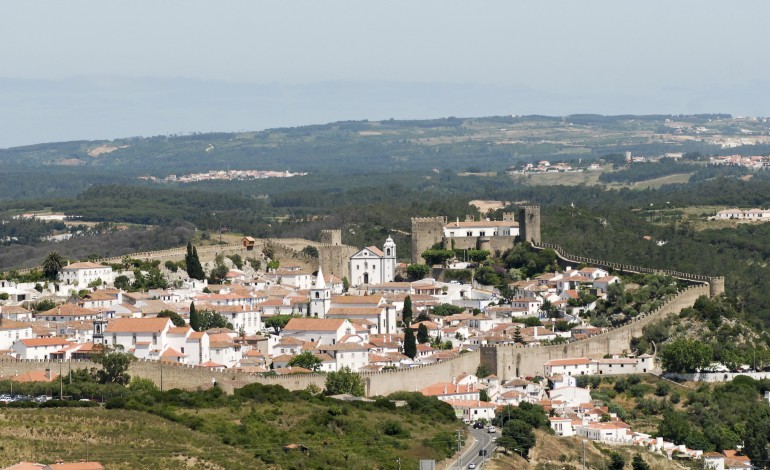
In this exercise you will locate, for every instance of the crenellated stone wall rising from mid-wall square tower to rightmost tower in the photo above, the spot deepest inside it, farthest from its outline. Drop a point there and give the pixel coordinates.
(508, 362)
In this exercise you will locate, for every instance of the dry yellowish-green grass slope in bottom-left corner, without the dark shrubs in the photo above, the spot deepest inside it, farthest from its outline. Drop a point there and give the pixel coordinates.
(120, 439)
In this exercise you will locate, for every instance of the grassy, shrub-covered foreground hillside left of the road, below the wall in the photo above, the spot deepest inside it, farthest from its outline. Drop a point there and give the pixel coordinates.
(267, 428)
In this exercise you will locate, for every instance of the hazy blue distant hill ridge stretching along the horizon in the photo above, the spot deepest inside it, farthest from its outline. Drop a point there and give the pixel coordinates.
(488, 144)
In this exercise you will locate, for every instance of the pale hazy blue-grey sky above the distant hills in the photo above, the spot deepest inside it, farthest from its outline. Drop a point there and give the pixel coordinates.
(88, 69)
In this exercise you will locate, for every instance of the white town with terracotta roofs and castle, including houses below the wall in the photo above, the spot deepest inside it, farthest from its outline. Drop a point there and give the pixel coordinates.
(276, 311)
